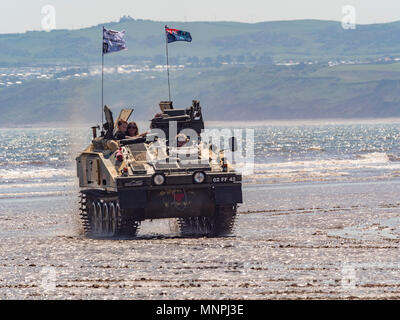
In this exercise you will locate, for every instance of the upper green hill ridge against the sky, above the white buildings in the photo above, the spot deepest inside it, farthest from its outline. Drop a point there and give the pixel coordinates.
(301, 39)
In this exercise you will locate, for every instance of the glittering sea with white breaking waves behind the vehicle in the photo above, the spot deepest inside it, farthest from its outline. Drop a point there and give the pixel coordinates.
(40, 162)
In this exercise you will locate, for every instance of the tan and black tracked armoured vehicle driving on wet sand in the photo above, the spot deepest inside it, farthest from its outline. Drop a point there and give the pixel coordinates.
(124, 182)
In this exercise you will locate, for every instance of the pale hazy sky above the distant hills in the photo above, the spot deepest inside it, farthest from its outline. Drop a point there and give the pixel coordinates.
(18, 16)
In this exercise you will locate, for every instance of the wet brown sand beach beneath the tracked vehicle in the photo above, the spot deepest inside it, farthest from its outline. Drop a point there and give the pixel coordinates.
(299, 241)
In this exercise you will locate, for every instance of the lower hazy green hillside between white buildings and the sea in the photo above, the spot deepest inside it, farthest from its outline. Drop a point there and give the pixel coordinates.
(228, 93)
